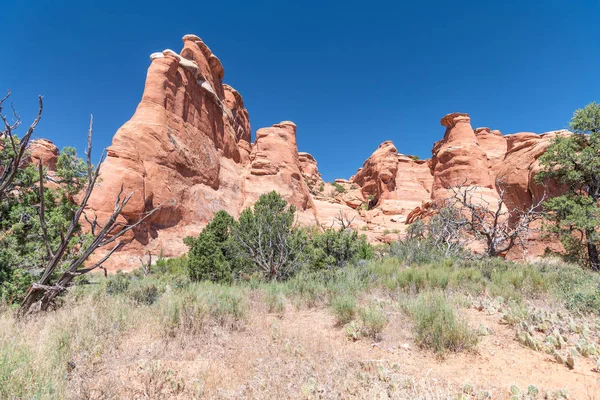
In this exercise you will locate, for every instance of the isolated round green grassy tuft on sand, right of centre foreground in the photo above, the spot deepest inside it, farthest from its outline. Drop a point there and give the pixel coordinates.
(437, 327)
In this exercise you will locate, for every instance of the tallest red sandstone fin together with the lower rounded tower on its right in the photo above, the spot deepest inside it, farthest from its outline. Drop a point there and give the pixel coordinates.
(187, 148)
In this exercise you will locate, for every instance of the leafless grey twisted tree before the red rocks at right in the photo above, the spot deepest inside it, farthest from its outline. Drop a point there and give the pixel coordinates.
(499, 228)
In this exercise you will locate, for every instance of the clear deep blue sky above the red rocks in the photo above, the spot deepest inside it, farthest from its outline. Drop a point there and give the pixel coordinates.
(350, 74)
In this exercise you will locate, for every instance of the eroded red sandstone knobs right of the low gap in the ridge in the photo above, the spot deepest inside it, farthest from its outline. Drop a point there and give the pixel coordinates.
(480, 158)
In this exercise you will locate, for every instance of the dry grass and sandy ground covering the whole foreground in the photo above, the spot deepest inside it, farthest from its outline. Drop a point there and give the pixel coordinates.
(164, 338)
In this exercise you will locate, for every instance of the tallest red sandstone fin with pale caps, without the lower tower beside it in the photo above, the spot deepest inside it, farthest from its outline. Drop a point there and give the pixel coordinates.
(176, 150)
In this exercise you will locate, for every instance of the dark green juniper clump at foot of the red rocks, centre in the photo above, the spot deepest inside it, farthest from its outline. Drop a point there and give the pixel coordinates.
(265, 243)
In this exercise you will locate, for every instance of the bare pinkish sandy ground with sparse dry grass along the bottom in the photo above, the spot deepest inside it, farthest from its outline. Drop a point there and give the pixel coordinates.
(304, 355)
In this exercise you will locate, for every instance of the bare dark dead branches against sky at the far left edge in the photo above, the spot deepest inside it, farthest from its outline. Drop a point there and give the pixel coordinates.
(12, 148)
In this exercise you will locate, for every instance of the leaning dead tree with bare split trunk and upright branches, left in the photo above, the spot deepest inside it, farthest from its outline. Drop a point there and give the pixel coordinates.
(57, 277)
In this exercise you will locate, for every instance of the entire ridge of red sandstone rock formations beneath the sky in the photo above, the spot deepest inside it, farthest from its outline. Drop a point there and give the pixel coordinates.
(188, 147)
